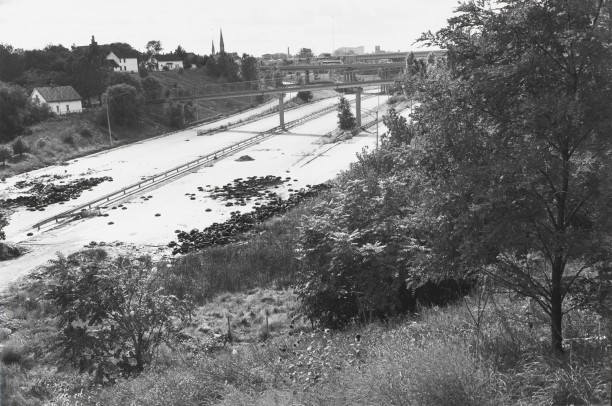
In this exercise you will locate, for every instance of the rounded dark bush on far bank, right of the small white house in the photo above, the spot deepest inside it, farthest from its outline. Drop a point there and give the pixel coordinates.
(125, 104)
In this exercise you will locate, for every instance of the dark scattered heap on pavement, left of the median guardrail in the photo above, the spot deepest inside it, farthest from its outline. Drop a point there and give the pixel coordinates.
(42, 194)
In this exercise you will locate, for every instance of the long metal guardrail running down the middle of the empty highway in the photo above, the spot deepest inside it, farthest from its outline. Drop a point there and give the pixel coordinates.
(180, 170)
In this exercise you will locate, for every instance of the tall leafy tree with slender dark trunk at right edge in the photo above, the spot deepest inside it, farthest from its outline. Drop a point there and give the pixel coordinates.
(518, 146)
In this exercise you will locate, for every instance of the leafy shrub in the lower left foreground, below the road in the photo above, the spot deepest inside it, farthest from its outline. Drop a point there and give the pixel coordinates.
(113, 314)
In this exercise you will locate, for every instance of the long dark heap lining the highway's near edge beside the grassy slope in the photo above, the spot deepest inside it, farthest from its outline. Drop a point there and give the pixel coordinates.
(228, 231)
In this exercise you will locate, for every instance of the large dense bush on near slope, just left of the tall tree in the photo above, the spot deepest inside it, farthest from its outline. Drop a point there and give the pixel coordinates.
(360, 250)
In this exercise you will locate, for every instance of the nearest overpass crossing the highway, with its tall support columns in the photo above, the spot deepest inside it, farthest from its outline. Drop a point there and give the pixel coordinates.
(274, 86)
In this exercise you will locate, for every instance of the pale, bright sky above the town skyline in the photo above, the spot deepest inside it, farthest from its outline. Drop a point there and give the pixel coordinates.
(254, 27)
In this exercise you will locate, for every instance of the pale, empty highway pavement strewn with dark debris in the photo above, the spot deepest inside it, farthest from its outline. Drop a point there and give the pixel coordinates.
(298, 154)
